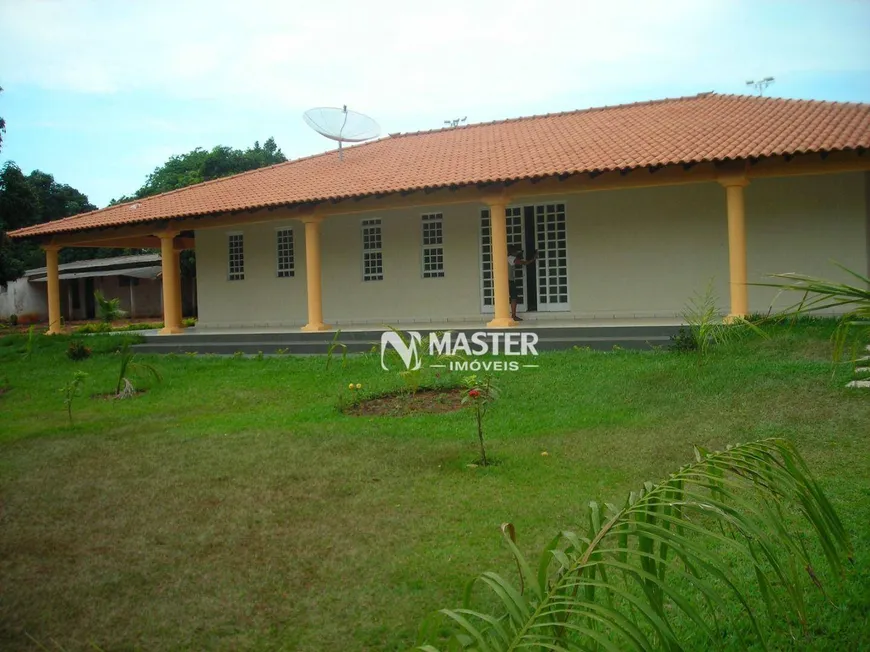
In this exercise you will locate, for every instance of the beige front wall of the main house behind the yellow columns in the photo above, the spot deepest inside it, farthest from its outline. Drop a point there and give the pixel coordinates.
(632, 253)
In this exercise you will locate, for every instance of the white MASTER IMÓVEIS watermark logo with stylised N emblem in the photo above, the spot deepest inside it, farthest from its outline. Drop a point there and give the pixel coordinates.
(461, 351)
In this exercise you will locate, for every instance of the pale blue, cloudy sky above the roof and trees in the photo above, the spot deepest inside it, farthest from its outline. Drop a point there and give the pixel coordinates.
(100, 92)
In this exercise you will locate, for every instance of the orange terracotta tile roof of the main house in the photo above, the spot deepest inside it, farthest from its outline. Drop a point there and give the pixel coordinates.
(705, 127)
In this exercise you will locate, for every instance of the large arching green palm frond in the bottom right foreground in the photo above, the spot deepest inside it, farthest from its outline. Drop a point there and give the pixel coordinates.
(701, 556)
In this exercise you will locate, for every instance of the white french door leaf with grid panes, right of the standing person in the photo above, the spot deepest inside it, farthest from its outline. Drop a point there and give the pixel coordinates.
(552, 267)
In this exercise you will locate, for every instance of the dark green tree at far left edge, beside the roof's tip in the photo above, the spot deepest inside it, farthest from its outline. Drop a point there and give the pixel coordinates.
(19, 207)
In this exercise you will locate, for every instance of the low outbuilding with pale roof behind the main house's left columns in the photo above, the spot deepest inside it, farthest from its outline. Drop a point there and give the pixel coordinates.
(133, 279)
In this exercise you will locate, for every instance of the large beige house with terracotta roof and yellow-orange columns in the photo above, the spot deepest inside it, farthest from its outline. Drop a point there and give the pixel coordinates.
(632, 209)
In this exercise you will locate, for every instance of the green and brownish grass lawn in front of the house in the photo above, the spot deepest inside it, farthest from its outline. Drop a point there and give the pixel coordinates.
(232, 506)
